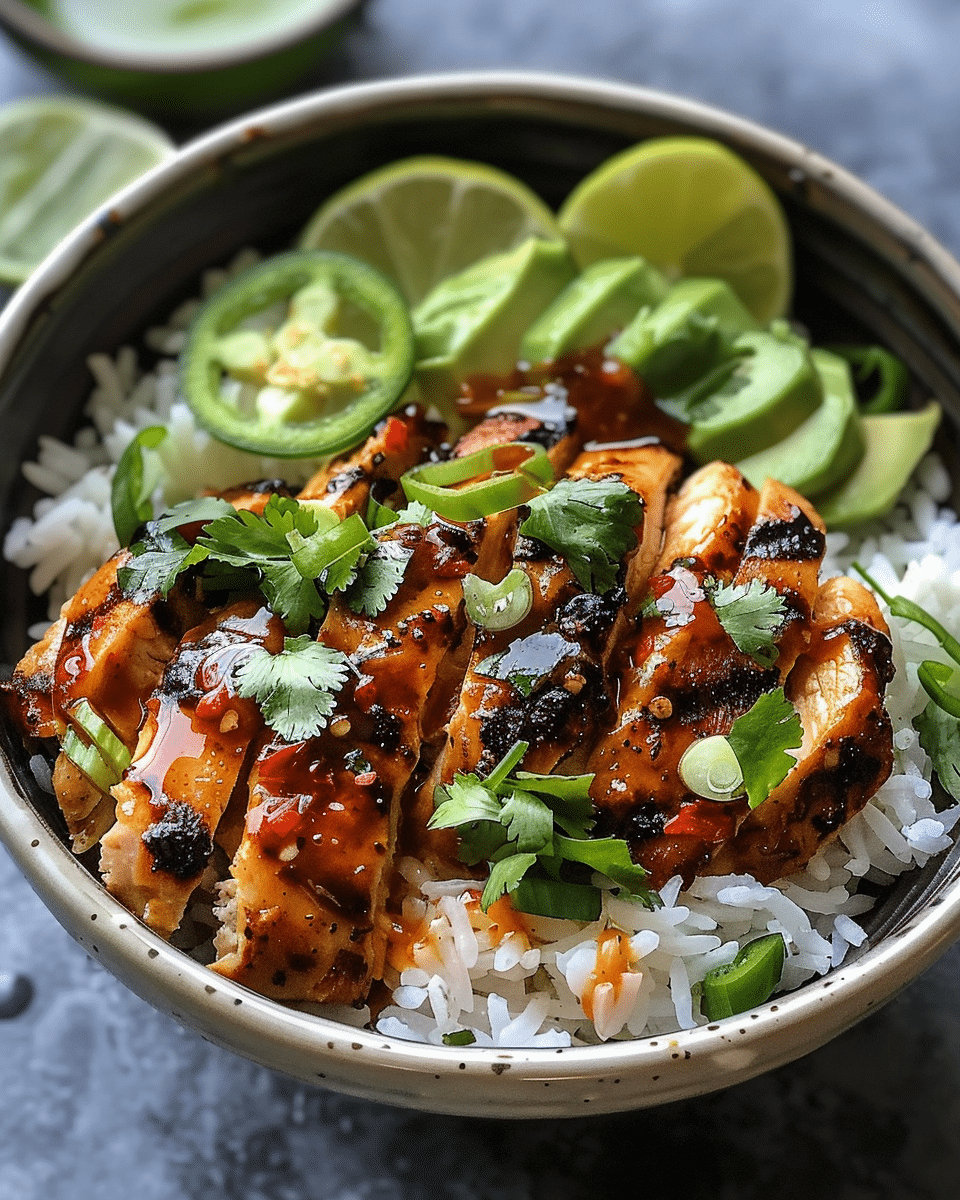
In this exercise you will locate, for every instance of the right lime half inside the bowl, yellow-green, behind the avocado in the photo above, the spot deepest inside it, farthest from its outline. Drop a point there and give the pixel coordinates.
(693, 208)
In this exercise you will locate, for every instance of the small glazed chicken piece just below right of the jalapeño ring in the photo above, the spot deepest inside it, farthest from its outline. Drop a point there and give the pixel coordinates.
(397, 445)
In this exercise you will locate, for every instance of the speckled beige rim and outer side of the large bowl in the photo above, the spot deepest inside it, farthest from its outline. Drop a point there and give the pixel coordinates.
(476, 1081)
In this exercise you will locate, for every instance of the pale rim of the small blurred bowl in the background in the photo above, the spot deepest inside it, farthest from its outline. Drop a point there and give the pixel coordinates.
(35, 28)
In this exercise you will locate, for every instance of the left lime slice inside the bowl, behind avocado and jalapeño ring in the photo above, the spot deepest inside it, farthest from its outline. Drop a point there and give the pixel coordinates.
(422, 220)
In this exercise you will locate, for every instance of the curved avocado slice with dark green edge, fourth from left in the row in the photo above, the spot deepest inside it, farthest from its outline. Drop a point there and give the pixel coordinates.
(773, 387)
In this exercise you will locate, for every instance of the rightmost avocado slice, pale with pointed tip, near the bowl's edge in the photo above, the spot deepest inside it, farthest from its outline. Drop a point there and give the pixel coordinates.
(895, 446)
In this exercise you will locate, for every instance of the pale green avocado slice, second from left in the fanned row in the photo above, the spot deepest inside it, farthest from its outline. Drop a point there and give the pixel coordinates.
(601, 302)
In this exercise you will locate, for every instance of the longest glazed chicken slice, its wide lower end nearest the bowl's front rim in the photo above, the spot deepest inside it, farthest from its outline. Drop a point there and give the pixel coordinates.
(308, 920)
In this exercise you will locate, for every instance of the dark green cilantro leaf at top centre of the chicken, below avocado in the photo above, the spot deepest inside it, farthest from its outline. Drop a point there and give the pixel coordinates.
(591, 523)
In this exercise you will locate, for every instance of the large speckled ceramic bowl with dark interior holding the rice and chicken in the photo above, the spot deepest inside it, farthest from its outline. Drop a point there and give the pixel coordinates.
(862, 267)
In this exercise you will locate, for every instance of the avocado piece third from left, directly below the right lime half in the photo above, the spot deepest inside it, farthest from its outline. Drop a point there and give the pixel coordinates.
(687, 335)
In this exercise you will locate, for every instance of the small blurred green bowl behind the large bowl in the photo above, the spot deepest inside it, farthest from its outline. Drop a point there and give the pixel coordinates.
(183, 88)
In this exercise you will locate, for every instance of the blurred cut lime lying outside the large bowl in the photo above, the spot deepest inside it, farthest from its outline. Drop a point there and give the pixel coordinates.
(61, 159)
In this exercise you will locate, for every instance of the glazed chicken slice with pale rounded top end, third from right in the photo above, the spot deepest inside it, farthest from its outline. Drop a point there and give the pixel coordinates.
(682, 677)
